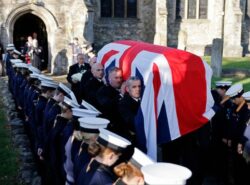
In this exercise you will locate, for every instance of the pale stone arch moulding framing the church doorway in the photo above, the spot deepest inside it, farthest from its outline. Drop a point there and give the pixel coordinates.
(44, 14)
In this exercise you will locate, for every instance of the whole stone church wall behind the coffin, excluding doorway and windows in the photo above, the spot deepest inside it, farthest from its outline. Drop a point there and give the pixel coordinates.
(156, 22)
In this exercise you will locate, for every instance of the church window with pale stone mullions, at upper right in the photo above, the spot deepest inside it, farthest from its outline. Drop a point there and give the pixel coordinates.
(191, 9)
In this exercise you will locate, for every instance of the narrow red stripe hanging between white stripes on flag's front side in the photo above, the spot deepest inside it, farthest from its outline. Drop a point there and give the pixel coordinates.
(156, 85)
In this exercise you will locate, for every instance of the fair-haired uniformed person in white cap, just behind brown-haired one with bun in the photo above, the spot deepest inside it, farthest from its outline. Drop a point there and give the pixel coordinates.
(77, 154)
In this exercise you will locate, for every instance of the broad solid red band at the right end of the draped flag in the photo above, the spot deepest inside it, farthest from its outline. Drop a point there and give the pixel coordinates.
(190, 89)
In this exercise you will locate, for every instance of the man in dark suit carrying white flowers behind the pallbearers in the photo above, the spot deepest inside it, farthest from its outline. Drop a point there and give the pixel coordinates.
(81, 67)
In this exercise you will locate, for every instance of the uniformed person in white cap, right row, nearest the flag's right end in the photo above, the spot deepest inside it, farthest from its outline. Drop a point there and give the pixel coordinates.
(220, 124)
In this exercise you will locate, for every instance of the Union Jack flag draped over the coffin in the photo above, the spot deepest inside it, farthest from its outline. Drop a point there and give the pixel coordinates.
(176, 89)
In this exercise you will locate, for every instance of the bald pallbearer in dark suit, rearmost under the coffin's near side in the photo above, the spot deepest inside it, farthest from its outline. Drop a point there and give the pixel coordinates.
(94, 84)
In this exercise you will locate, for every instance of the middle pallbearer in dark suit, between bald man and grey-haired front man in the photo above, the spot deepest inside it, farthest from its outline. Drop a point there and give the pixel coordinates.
(108, 97)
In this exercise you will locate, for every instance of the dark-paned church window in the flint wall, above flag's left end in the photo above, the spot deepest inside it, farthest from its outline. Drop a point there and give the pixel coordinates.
(119, 8)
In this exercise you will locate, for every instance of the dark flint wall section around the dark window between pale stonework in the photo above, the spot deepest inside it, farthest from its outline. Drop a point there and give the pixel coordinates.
(110, 29)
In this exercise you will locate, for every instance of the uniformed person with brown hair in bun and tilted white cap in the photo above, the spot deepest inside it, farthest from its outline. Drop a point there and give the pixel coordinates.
(107, 149)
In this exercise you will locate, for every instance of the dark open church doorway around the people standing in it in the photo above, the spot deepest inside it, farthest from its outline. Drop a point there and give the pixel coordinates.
(26, 25)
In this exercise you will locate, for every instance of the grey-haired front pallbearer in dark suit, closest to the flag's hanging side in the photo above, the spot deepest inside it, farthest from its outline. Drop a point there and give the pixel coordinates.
(129, 105)
